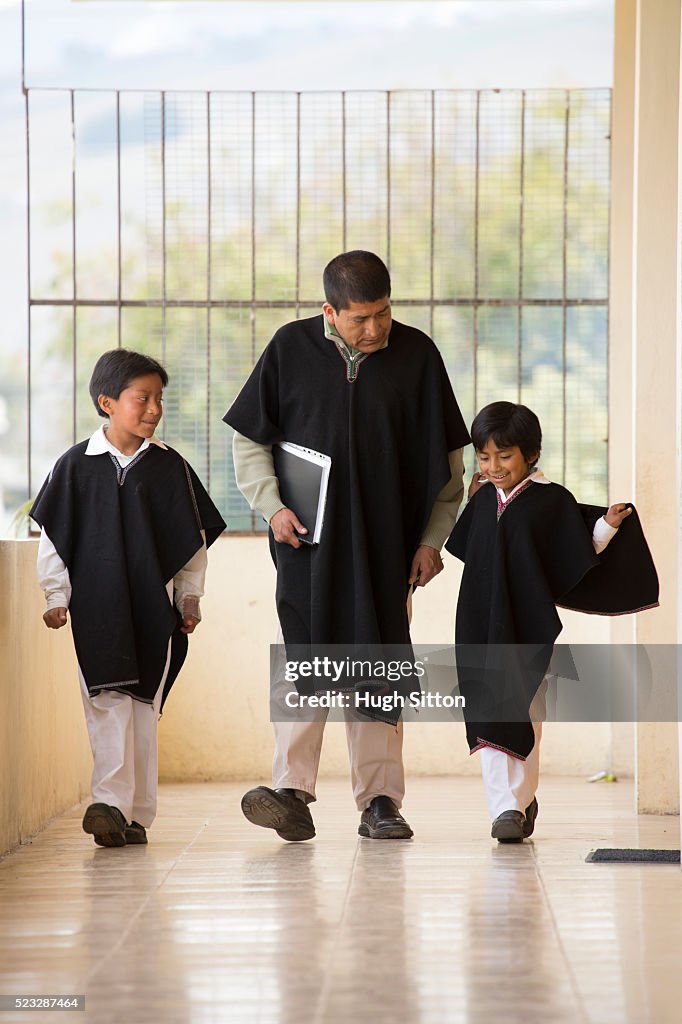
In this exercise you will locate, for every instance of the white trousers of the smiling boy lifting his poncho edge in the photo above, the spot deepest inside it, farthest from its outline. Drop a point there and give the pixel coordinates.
(511, 784)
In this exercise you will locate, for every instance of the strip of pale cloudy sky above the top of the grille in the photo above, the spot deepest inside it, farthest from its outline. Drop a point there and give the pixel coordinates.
(313, 46)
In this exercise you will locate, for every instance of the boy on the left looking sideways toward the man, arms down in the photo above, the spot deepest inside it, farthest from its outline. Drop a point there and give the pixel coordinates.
(125, 528)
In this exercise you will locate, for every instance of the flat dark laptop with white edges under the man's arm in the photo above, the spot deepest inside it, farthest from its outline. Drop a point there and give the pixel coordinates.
(304, 477)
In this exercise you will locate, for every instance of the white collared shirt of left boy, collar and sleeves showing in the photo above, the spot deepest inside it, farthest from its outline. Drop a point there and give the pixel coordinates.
(54, 575)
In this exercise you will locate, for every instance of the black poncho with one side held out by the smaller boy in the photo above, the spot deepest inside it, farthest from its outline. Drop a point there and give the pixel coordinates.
(518, 569)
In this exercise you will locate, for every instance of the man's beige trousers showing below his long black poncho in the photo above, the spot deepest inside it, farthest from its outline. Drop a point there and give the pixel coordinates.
(375, 751)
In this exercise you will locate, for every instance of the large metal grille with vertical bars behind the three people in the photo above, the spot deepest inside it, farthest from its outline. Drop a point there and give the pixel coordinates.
(191, 226)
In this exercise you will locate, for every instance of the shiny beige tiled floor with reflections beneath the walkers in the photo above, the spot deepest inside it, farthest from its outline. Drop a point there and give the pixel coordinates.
(218, 921)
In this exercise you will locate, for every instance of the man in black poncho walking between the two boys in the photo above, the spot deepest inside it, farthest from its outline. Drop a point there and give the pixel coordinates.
(374, 396)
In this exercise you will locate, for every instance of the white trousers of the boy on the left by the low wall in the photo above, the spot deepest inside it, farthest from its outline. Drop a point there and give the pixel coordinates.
(123, 738)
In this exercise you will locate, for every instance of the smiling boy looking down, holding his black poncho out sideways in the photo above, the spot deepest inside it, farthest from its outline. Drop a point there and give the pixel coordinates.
(527, 546)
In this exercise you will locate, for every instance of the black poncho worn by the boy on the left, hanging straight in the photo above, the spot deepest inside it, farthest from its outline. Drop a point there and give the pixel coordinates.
(123, 535)
